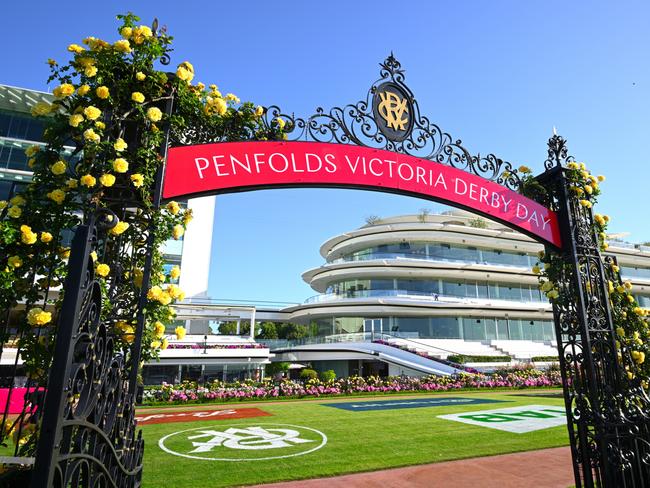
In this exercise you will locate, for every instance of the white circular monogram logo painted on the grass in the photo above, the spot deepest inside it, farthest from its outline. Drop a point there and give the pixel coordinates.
(238, 442)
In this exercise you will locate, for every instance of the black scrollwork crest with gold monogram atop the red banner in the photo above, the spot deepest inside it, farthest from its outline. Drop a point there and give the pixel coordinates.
(389, 118)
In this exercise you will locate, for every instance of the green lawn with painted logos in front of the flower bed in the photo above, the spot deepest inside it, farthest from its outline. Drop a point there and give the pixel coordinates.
(356, 441)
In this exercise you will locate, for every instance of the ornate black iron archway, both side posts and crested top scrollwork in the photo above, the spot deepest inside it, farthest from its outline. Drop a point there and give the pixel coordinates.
(608, 418)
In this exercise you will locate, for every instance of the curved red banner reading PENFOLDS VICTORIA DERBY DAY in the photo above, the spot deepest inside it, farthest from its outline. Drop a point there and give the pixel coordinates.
(240, 166)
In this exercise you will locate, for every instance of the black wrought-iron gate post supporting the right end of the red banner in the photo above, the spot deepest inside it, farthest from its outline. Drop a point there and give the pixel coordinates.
(609, 446)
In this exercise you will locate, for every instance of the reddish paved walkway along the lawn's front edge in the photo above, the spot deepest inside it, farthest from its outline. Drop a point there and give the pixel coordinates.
(546, 468)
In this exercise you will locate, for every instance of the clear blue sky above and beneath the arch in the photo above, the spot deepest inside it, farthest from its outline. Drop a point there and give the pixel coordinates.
(498, 75)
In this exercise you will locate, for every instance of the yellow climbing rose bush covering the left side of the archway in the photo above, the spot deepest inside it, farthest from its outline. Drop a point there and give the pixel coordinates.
(111, 104)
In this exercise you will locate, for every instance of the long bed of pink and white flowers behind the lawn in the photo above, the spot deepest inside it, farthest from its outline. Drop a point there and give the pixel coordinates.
(191, 392)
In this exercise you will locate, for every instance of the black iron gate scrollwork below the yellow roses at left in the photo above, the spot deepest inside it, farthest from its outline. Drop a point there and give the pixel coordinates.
(94, 441)
